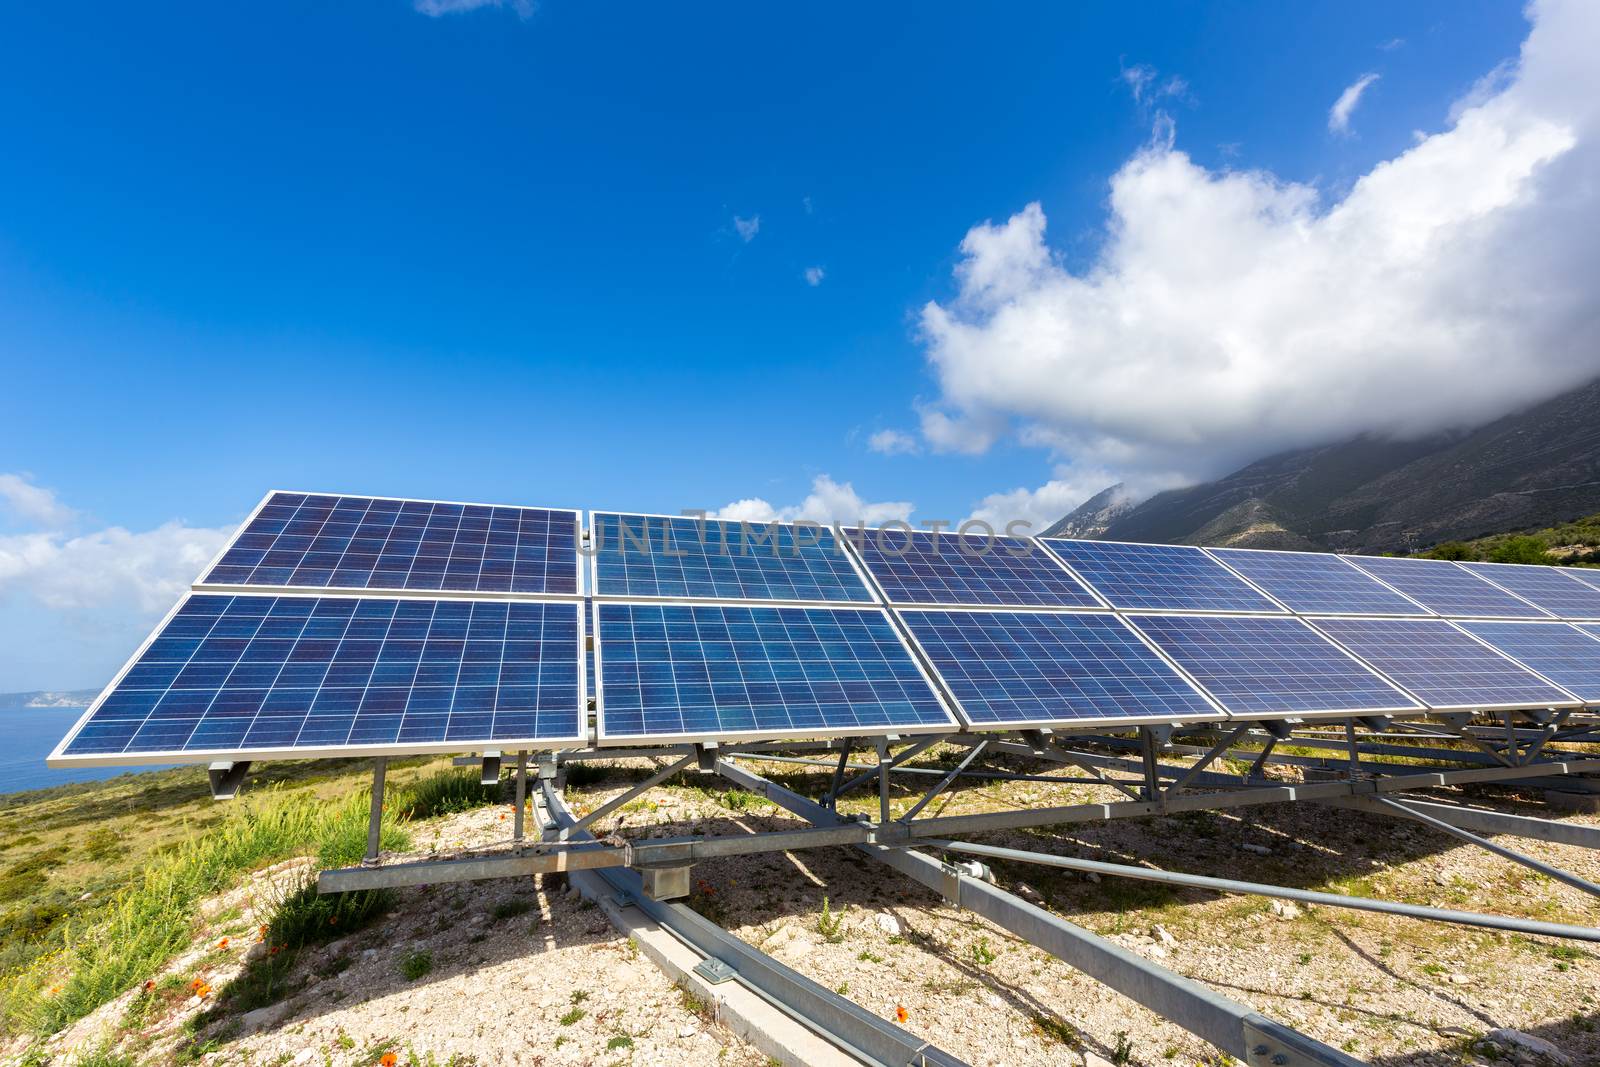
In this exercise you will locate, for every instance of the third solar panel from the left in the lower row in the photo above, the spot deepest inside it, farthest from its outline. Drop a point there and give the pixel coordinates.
(1042, 668)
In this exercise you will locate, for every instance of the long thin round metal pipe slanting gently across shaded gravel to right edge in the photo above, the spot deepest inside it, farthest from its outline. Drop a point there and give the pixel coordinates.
(1255, 889)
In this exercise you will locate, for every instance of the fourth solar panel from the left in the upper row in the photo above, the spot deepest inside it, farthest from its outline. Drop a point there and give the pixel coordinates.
(1162, 577)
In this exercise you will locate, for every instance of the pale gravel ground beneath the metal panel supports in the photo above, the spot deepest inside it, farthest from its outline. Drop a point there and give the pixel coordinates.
(526, 973)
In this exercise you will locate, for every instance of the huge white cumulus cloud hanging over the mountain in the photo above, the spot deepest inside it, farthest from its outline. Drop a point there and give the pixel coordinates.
(1231, 313)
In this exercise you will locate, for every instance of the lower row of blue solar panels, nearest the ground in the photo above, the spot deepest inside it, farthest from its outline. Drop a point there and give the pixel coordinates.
(252, 676)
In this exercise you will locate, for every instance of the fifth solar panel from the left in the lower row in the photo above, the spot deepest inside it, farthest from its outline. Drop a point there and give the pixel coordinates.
(1442, 666)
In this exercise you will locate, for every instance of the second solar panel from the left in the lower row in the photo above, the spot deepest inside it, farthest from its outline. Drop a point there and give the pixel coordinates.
(673, 673)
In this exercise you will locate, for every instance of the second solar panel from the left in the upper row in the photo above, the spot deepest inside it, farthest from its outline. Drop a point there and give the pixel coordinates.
(649, 556)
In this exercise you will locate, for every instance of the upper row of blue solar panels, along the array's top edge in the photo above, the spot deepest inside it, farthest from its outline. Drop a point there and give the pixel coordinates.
(298, 541)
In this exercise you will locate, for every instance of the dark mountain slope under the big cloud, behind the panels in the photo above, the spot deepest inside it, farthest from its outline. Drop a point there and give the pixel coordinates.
(1535, 468)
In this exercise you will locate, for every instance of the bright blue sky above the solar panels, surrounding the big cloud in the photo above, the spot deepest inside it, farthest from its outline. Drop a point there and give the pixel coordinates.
(647, 257)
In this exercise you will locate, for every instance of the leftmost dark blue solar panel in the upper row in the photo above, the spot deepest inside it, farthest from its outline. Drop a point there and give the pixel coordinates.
(303, 541)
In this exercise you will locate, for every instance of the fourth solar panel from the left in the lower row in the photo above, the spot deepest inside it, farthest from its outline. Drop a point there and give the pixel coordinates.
(1270, 666)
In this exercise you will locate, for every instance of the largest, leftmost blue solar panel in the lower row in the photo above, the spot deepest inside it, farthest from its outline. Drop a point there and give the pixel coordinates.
(254, 676)
